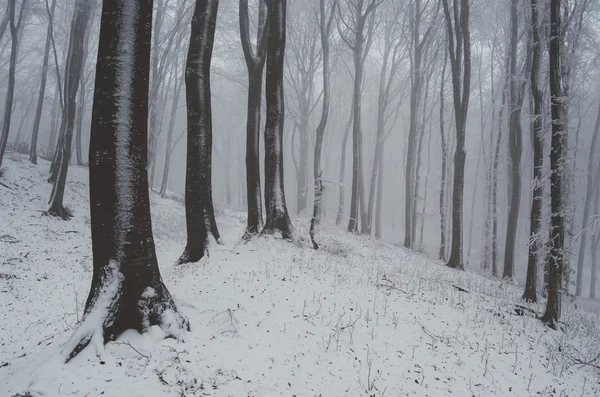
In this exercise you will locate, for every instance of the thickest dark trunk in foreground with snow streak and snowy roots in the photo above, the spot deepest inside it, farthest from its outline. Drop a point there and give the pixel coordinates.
(127, 291)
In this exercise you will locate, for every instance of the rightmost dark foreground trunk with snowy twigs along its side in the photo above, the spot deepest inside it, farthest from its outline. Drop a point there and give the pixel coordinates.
(557, 153)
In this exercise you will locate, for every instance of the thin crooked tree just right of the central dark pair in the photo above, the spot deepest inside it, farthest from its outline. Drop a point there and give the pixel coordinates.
(325, 22)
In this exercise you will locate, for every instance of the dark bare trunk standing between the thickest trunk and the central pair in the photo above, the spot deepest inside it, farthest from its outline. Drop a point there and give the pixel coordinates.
(199, 212)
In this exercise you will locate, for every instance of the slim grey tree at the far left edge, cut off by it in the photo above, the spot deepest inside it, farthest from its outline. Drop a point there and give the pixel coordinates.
(8, 102)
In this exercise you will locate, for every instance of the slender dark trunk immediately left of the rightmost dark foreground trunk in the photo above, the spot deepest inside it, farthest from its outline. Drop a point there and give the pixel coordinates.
(530, 293)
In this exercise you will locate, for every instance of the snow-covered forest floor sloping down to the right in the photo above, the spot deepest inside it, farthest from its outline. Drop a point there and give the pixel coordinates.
(269, 318)
